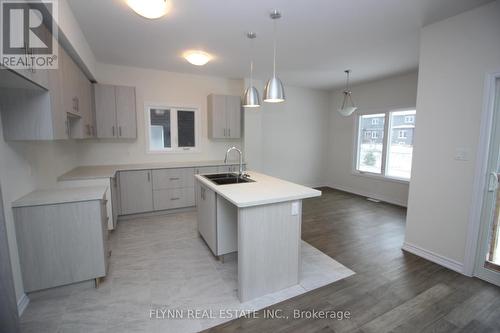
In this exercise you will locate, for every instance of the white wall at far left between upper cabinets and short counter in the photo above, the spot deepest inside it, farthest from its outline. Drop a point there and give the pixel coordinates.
(23, 168)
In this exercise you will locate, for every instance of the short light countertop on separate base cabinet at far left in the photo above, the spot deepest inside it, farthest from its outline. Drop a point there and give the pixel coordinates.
(64, 195)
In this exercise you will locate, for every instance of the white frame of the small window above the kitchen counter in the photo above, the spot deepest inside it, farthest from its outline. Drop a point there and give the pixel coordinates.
(174, 138)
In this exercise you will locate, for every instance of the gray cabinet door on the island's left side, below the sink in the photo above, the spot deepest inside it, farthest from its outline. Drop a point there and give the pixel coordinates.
(207, 219)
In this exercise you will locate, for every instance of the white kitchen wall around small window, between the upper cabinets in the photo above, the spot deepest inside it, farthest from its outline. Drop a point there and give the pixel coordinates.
(165, 88)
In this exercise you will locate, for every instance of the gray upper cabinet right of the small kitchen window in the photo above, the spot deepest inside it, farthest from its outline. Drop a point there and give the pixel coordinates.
(224, 117)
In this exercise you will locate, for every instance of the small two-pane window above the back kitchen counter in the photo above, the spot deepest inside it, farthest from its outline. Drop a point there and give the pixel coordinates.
(172, 129)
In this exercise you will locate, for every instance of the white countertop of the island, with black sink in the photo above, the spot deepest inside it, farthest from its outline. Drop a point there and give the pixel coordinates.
(265, 190)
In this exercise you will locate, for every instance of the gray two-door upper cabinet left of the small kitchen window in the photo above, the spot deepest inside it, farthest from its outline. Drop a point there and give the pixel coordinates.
(115, 111)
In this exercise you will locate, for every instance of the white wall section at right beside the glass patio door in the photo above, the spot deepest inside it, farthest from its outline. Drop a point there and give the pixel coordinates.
(455, 55)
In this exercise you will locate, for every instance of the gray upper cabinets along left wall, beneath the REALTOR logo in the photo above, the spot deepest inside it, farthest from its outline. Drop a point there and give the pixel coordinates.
(59, 110)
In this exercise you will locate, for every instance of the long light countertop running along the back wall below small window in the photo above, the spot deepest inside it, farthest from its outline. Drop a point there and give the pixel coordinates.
(109, 171)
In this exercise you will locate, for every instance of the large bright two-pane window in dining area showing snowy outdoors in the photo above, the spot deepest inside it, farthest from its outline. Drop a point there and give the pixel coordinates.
(386, 155)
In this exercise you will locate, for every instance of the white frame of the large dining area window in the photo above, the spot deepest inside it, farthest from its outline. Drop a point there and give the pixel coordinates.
(385, 150)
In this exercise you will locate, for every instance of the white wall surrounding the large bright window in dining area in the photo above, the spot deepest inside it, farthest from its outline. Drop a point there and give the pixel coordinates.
(372, 97)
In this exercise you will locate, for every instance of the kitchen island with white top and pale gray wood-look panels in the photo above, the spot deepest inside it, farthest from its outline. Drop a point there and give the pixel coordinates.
(261, 220)
